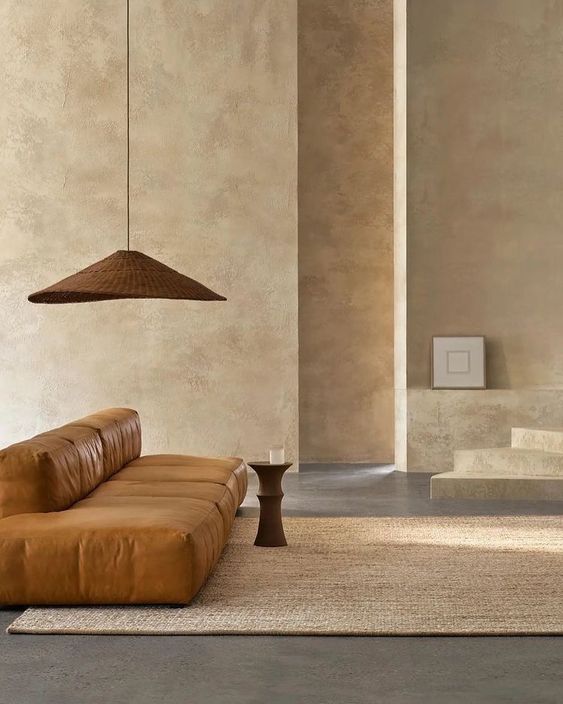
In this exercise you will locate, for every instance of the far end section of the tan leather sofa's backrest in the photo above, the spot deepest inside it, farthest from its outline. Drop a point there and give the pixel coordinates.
(120, 432)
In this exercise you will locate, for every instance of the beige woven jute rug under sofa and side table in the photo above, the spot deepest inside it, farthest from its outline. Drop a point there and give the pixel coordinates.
(360, 576)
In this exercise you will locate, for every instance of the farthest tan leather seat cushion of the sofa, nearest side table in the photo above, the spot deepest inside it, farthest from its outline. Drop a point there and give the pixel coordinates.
(229, 471)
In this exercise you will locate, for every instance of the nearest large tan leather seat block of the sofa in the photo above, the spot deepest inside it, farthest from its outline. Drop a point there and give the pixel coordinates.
(144, 550)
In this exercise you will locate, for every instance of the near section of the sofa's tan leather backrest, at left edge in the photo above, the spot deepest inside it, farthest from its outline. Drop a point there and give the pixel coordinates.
(51, 471)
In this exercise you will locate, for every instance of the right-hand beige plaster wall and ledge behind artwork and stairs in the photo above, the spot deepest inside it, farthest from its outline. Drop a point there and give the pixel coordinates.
(485, 249)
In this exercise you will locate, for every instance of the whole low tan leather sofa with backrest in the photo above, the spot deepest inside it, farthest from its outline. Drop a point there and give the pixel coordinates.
(84, 519)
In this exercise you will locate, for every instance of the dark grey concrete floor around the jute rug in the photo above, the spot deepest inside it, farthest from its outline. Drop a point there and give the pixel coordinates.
(290, 670)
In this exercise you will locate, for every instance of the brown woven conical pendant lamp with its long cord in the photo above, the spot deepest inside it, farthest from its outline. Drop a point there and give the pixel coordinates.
(126, 273)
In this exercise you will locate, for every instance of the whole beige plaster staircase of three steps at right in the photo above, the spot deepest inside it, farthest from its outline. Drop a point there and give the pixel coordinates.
(532, 468)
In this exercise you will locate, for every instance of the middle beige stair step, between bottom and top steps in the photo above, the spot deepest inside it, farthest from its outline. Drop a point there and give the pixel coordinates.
(509, 461)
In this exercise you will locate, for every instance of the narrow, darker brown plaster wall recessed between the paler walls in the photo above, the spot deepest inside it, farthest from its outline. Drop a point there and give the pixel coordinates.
(346, 229)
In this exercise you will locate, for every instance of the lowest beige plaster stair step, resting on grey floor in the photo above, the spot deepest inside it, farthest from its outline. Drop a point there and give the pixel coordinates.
(455, 485)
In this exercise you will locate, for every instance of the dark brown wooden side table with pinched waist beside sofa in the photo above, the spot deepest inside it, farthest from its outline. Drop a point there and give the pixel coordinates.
(270, 529)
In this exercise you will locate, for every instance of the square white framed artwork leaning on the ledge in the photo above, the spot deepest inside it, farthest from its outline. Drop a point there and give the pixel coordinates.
(458, 362)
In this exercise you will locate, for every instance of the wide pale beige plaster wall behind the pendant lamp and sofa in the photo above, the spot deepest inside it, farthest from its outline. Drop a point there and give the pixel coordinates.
(214, 195)
